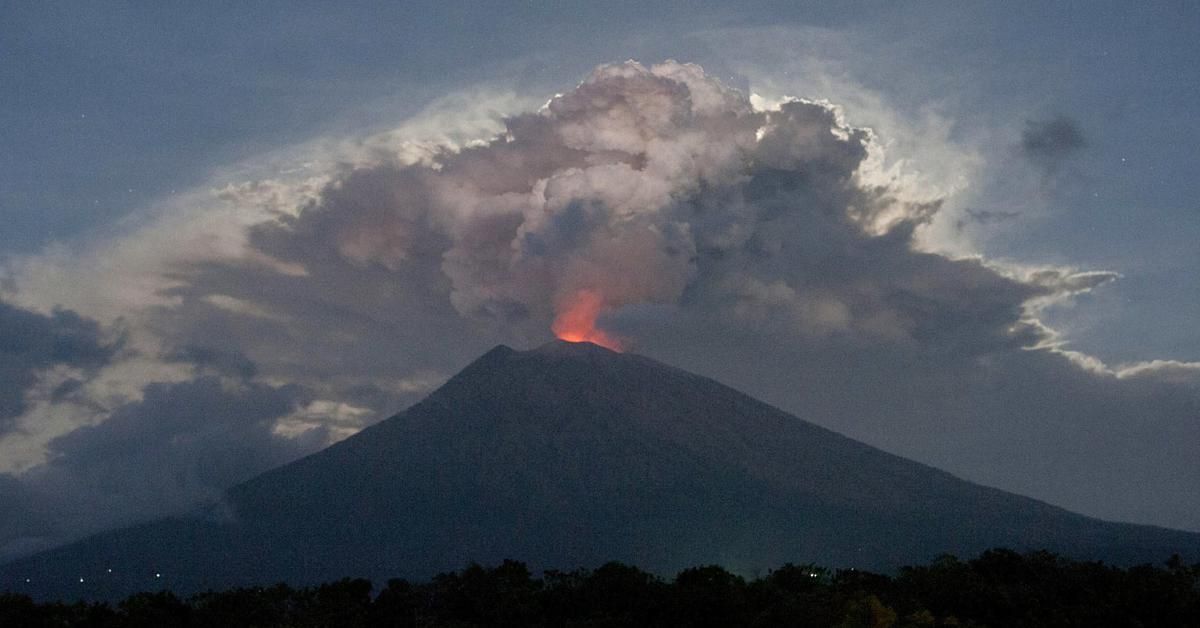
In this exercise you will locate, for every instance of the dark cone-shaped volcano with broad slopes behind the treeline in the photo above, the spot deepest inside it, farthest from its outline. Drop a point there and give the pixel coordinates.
(572, 456)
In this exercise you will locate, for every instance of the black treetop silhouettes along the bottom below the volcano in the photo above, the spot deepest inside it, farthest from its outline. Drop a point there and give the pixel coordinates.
(999, 589)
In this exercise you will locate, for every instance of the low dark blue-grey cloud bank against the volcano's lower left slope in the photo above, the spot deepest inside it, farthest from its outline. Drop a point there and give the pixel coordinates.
(176, 450)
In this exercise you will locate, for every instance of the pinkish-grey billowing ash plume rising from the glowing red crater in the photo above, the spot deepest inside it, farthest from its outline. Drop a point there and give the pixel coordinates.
(640, 187)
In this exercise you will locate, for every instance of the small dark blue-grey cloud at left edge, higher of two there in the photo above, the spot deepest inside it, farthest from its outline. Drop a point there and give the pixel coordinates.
(32, 343)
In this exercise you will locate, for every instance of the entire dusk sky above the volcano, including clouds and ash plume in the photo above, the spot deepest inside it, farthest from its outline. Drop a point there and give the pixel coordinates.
(963, 232)
